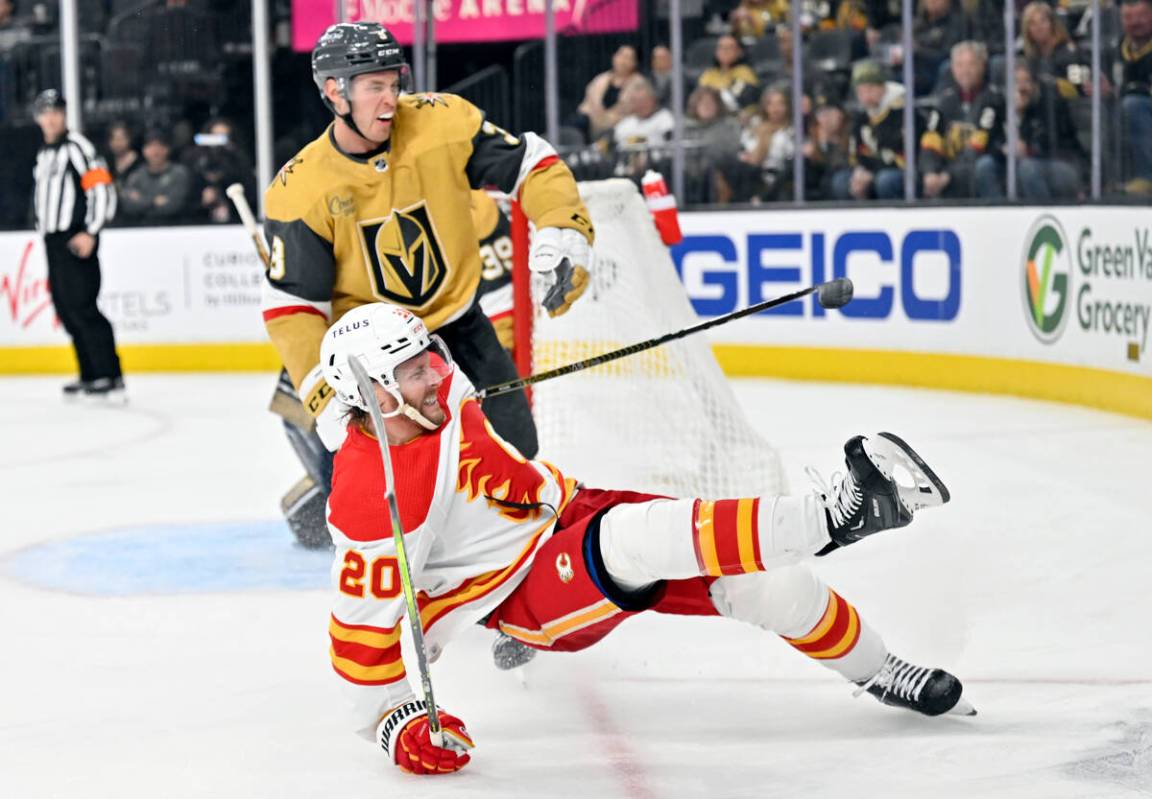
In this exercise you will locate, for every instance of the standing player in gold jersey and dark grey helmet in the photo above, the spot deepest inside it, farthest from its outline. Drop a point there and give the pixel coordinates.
(378, 209)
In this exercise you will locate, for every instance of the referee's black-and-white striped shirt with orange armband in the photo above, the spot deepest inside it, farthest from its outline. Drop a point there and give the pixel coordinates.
(74, 189)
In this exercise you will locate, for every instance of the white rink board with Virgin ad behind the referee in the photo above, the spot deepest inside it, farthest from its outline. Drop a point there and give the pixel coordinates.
(164, 285)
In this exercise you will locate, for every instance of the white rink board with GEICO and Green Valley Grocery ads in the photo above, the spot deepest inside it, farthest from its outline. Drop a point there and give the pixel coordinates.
(1070, 286)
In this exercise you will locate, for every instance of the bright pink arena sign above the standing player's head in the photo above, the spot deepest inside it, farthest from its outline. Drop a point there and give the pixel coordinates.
(467, 21)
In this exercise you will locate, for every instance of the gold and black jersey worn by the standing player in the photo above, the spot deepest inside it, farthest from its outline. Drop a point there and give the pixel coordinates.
(396, 225)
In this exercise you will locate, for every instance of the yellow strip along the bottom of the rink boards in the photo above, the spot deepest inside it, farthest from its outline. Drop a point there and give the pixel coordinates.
(1108, 391)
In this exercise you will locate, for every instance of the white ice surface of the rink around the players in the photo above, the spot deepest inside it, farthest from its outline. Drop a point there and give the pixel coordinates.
(1033, 587)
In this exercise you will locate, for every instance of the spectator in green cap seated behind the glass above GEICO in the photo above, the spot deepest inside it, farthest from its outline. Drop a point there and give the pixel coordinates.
(877, 148)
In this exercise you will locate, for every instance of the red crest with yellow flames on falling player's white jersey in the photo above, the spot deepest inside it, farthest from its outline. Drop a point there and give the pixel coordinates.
(494, 469)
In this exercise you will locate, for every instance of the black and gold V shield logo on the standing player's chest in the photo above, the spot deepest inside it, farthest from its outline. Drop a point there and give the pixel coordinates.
(406, 262)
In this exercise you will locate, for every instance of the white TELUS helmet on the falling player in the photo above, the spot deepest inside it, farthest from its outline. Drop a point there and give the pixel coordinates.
(383, 337)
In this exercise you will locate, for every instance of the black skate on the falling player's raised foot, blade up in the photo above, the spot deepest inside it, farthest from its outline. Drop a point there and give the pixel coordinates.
(868, 499)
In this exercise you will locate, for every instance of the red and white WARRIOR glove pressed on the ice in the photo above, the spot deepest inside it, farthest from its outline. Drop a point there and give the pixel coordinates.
(404, 735)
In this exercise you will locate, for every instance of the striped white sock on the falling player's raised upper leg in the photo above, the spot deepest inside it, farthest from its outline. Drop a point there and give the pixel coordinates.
(677, 539)
